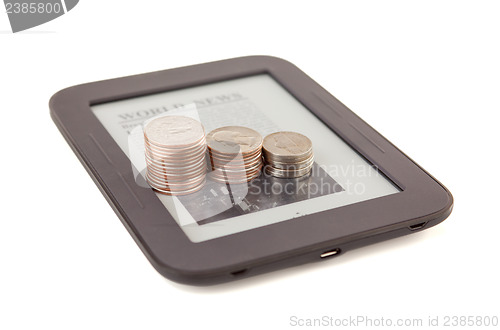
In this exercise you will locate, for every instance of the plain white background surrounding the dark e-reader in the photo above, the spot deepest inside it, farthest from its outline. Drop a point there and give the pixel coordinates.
(425, 74)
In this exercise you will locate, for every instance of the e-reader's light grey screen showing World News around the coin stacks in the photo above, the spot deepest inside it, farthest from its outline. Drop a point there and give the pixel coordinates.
(339, 175)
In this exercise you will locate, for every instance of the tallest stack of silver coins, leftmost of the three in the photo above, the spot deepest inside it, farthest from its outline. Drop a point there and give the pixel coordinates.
(175, 148)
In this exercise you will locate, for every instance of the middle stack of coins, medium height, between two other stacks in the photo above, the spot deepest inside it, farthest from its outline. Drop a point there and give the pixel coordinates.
(235, 154)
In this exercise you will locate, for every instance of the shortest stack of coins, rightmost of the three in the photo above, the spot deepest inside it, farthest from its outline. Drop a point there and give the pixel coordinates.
(287, 154)
